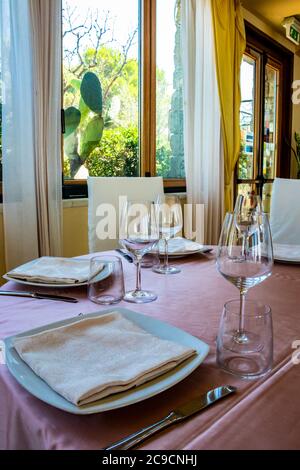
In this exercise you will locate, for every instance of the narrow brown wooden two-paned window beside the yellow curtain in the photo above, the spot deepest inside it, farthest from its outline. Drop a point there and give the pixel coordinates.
(266, 75)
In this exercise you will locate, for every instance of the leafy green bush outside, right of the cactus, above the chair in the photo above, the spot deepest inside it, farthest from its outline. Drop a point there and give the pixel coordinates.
(117, 154)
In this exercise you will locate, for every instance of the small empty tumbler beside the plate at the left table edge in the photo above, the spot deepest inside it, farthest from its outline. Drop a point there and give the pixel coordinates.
(106, 280)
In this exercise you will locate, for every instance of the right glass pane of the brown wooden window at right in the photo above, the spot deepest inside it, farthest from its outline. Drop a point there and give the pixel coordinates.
(270, 128)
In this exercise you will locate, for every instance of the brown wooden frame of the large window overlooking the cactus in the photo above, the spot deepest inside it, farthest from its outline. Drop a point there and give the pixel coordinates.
(72, 189)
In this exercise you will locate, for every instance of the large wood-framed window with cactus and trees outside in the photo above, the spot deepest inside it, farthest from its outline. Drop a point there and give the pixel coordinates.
(122, 91)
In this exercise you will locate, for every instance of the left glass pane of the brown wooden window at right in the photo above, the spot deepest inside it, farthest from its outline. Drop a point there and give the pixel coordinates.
(246, 160)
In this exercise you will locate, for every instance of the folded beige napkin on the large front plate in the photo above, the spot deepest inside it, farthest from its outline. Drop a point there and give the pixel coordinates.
(96, 357)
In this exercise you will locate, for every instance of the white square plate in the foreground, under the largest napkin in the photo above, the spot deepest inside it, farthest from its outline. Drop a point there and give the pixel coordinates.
(37, 387)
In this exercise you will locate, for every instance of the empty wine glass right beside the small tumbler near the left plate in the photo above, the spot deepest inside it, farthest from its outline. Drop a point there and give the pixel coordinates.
(138, 235)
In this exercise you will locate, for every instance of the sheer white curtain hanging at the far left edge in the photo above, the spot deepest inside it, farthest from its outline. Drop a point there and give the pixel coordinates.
(30, 38)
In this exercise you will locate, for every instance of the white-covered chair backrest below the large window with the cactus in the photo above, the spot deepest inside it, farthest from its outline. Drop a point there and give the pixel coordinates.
(105, 192)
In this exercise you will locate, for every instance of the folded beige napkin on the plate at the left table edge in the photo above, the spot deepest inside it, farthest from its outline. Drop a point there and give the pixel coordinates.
(53, 270)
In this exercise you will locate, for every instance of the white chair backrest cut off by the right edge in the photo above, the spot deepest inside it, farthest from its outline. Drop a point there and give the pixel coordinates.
(285, 211)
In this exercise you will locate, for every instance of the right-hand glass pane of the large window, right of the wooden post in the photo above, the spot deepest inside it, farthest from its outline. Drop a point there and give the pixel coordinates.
(169, 101)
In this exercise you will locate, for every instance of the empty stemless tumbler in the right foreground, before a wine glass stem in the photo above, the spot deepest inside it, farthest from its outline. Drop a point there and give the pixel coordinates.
(231, 356)
